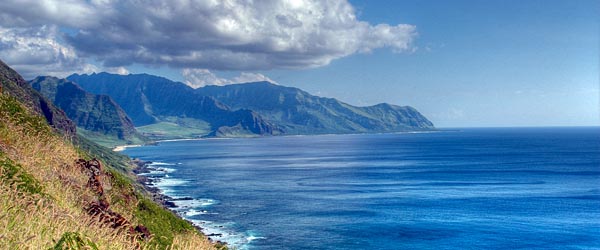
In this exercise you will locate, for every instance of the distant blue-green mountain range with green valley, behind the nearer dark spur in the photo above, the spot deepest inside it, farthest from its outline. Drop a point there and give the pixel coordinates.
(162, 108)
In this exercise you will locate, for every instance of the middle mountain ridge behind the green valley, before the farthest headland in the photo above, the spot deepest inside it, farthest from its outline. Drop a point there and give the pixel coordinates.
(150, 99)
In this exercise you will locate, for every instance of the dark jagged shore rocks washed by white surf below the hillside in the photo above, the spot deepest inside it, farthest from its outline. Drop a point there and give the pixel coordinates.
(144, 167)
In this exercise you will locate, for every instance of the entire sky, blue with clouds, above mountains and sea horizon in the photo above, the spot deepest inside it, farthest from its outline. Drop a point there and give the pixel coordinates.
(469, 63)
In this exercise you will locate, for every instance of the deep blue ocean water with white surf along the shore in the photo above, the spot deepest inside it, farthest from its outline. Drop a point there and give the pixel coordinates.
(503, 188)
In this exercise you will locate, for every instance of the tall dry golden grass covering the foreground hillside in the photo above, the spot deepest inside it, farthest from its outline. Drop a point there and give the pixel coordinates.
(39, 220)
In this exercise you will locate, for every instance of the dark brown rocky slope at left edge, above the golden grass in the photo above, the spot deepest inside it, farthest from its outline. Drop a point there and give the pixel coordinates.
(13, 84)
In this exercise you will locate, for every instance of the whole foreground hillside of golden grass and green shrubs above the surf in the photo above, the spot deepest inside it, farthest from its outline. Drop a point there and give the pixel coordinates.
(45, 197)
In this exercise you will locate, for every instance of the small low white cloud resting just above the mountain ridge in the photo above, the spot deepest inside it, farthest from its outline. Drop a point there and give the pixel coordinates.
(197, 78)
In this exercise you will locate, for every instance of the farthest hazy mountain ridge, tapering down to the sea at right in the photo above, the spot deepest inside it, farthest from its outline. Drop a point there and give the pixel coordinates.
(301, 113)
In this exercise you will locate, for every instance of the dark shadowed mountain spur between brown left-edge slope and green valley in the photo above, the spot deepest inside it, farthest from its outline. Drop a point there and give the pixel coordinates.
(95, 113)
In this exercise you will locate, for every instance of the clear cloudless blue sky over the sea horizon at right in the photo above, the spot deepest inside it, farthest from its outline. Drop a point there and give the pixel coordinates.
(478, 63)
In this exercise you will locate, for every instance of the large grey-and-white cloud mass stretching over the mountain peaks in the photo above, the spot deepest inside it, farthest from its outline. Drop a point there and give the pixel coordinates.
(207, 34)
